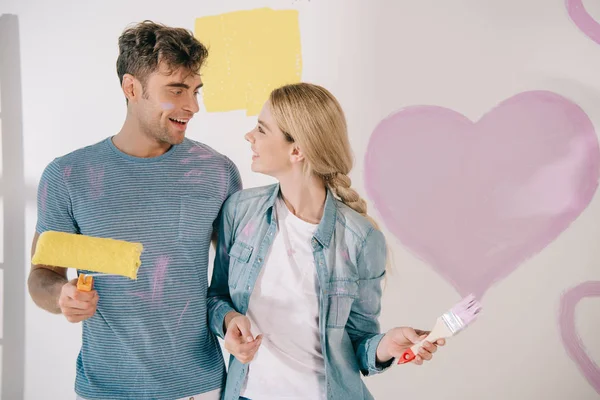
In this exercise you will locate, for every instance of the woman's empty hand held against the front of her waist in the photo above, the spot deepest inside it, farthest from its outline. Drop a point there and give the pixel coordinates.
(239, 340)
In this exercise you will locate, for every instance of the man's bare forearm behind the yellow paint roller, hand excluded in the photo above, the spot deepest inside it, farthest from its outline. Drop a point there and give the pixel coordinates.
(45, 283)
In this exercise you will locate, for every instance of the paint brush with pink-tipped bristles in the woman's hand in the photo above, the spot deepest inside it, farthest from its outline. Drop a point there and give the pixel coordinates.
(449, 324)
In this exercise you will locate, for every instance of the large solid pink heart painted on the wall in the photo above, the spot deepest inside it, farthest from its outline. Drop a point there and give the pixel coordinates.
(475, 200)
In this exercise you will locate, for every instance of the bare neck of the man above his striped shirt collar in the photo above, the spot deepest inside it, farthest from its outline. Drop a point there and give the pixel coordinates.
(133, 141)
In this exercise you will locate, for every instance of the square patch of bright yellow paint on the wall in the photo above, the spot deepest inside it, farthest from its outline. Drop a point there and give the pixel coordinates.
(252, 52)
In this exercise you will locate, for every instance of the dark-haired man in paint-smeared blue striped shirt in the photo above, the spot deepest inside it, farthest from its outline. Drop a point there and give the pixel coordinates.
(148, 338)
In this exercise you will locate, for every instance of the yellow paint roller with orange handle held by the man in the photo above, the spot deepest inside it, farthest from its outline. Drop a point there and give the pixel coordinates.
(104, 255)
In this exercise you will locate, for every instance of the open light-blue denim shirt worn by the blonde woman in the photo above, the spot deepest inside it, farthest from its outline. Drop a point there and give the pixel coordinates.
(350, 258)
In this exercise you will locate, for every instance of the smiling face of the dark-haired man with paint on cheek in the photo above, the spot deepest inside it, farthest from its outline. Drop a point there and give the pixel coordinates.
(169, 101)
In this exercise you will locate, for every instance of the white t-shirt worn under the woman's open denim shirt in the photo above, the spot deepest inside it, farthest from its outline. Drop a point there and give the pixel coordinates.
(284, 308)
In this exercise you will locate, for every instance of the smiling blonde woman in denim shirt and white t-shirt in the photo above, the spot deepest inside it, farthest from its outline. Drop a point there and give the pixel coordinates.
(296, 287)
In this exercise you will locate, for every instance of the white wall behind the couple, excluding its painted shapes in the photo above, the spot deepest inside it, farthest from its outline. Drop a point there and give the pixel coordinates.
(465, 55)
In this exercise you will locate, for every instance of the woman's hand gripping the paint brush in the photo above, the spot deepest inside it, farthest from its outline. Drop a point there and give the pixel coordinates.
(398, 340)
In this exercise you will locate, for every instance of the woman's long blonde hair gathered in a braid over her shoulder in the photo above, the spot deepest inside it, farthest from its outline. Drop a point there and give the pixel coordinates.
(311, 116)
